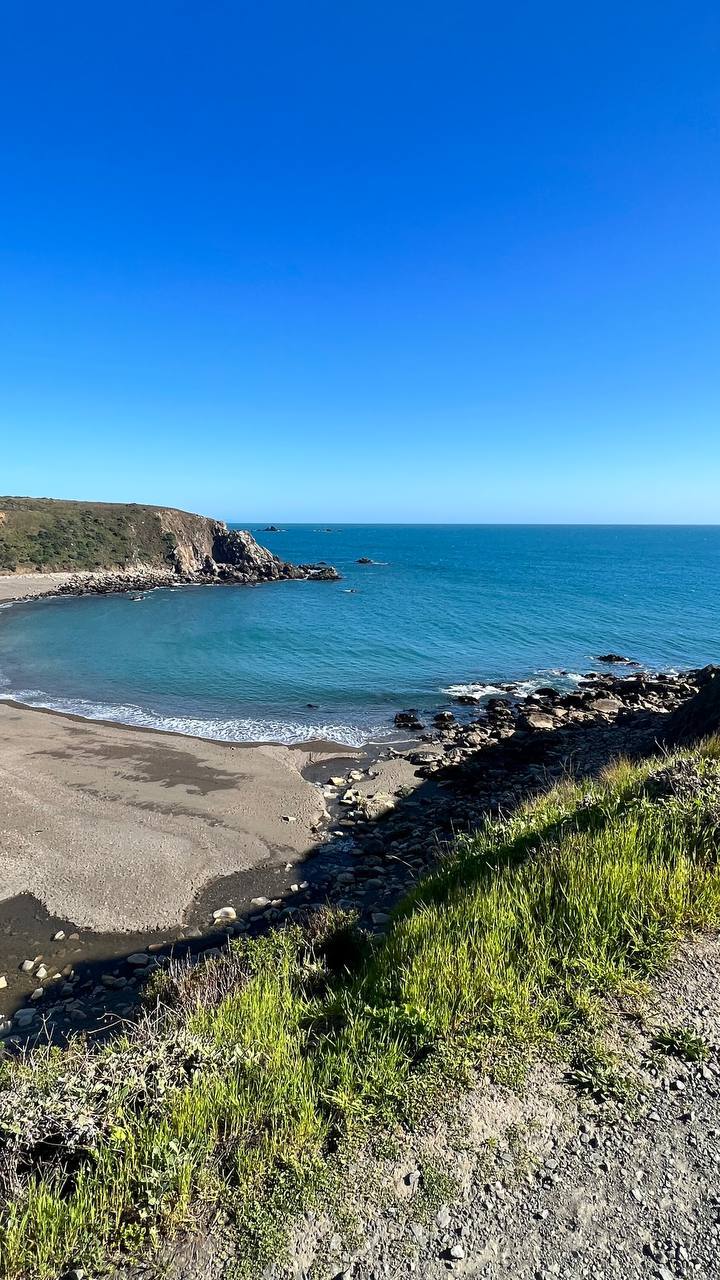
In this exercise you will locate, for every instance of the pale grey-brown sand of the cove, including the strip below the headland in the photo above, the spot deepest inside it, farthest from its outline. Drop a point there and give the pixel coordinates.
(120, 829)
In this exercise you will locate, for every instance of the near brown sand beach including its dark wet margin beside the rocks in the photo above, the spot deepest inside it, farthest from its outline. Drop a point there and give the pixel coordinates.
(121, 838)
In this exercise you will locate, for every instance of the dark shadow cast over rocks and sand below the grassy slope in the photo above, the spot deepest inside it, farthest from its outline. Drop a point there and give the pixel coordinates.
(366, 867)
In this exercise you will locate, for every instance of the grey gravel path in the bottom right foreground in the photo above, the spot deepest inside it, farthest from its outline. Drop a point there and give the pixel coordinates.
(550, 1183)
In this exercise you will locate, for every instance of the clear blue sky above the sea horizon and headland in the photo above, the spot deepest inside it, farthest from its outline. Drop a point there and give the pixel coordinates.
(363, 262)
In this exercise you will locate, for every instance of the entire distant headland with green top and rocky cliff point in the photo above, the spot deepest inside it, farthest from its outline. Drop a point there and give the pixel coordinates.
(51, 536)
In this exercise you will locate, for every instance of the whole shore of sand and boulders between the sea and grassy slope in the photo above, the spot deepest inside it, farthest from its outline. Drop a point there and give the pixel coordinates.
(129, 839)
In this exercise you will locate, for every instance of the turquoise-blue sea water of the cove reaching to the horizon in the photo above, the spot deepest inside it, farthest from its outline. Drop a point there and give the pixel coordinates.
(446, 607)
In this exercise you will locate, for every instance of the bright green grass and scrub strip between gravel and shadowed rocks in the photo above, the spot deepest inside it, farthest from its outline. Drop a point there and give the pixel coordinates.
(234, 1095)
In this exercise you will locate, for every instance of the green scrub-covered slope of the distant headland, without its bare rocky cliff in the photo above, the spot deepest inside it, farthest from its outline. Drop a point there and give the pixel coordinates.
(44, 534)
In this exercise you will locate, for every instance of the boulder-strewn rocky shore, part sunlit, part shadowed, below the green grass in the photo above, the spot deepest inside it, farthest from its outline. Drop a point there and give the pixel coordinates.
(389, 820)
